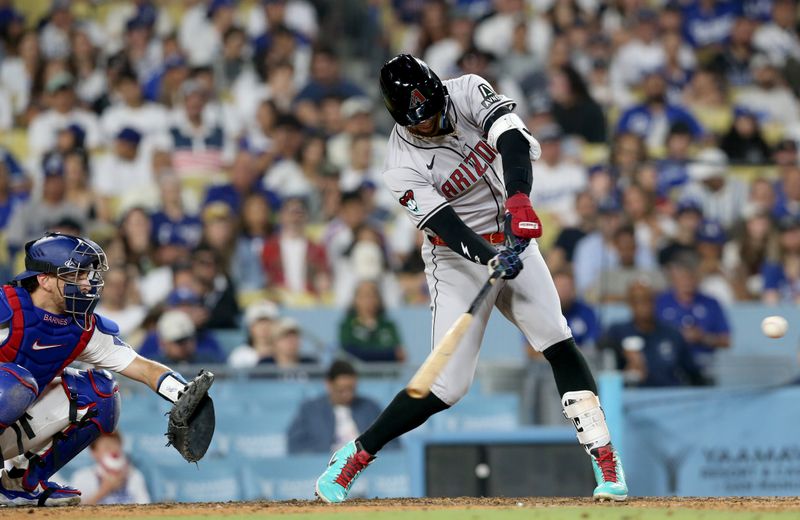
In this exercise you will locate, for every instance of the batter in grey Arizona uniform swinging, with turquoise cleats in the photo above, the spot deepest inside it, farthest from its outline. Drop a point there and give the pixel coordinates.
(459, 161)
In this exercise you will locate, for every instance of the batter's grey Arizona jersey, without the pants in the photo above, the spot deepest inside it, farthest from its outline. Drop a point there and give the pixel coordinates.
(459, 169)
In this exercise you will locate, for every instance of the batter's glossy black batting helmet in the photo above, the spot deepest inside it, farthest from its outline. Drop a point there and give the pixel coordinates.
(412, 92)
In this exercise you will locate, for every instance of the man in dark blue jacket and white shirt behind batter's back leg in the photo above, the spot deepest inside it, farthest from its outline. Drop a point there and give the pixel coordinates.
(333, 418)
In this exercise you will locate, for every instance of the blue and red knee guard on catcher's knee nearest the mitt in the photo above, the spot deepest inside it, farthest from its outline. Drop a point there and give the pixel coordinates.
(95, 392)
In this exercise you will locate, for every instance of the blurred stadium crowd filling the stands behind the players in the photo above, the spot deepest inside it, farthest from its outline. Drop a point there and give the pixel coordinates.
(228, 157)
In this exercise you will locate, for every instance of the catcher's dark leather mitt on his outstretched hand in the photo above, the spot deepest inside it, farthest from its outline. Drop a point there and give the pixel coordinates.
(191, 420)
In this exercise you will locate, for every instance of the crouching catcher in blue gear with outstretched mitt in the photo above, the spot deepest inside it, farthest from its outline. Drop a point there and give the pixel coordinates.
(50, 412)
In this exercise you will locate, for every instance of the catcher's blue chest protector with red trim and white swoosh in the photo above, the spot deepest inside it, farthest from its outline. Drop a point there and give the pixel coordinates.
(42, 342)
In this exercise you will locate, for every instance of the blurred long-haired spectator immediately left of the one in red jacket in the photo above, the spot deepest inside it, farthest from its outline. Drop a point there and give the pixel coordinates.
(256, 226)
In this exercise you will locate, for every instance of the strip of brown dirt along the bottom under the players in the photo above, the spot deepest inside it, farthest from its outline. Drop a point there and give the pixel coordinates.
(423, 504)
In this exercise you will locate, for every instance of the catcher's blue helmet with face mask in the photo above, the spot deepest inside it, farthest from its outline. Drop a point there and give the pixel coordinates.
(78, 262)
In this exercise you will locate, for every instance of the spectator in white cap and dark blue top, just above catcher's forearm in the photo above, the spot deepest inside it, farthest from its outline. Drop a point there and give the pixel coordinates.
(176, 341)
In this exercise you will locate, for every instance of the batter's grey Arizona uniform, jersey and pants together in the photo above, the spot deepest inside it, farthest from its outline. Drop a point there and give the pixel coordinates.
(461, 170)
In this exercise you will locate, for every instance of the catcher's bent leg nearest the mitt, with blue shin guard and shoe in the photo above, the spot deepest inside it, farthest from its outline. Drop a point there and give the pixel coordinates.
(91, 407)
